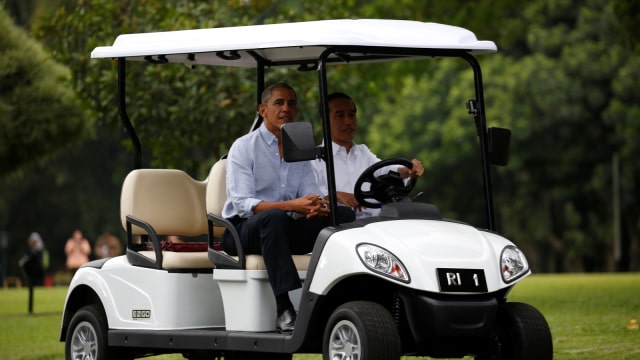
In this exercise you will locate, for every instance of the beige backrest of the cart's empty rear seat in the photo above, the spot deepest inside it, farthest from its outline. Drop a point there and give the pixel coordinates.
(169, 200)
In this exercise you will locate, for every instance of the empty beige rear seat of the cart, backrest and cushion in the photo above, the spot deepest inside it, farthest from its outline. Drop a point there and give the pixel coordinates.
(158, 202)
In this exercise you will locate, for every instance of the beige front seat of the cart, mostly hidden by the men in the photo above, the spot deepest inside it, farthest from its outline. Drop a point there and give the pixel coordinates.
(216, 195)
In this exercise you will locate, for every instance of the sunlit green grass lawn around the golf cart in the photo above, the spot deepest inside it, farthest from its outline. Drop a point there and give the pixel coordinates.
(590, 316)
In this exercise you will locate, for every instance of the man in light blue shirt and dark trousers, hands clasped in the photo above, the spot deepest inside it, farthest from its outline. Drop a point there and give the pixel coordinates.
(275, 206)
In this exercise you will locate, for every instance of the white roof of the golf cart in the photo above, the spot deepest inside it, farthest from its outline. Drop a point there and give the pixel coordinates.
(292, 43)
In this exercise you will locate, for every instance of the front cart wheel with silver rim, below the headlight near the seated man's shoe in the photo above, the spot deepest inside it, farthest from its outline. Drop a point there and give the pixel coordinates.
(361, 330)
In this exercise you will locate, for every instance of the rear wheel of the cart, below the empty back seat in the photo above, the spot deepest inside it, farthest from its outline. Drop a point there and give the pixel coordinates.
(87, 337)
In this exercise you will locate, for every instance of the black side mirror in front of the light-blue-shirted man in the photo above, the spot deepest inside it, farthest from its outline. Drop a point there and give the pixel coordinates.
(298, 143)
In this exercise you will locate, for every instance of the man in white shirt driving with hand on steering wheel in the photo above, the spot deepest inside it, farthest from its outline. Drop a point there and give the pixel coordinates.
(351, 159)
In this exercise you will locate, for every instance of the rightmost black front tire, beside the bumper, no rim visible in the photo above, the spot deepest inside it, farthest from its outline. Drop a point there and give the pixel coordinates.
(523, 333)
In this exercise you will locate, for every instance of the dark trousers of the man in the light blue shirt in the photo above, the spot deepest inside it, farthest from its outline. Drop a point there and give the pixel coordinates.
(276, 236)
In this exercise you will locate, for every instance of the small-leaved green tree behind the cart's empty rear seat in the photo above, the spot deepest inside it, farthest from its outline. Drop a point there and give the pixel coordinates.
(185, 117)
